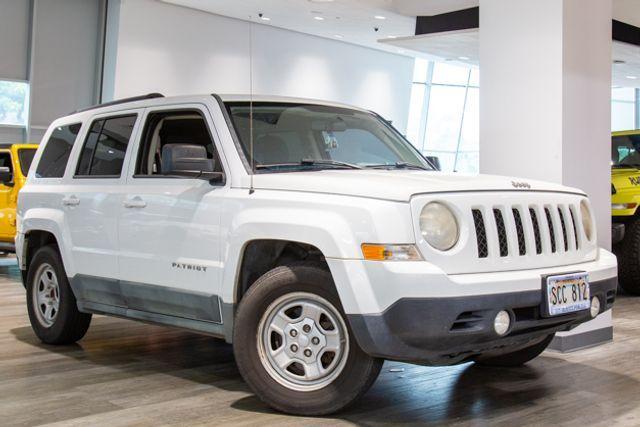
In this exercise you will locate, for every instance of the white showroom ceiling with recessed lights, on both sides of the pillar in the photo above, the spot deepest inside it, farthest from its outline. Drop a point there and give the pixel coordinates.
(353, 21)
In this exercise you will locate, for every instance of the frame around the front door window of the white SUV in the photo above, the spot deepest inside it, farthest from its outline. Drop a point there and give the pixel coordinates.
(178, 110)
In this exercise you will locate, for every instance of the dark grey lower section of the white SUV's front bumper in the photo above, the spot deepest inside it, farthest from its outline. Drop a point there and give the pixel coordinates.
(446, 331)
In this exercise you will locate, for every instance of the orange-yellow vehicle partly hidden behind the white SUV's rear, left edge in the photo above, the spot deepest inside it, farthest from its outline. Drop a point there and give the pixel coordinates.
(15, 161)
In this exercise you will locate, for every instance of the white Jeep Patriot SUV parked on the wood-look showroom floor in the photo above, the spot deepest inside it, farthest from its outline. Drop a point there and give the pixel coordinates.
(310, 235)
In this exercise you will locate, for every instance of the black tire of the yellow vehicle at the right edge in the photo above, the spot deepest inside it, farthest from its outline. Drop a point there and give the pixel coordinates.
(628, 252)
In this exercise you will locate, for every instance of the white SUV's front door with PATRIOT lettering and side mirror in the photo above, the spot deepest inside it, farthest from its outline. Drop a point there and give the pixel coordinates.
(169, 221)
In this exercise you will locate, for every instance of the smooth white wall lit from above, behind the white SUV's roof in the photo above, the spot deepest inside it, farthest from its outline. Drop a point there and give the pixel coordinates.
(175, 50)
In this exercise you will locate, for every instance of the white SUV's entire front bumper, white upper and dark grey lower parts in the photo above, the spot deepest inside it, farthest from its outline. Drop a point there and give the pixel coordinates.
(400, 312)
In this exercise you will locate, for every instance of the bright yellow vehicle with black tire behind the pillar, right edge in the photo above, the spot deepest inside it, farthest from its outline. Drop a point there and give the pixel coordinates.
(625, 199)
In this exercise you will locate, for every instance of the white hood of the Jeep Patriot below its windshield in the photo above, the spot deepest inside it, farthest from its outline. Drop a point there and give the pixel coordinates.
(396, 185)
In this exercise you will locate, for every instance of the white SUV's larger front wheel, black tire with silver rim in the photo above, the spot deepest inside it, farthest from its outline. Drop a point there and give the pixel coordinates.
(350, 372)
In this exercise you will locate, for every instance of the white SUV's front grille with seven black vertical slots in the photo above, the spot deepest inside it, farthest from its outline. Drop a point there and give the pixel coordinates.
(513, 236)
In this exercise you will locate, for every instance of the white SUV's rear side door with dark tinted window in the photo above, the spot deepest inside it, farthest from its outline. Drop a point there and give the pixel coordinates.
(92, 201)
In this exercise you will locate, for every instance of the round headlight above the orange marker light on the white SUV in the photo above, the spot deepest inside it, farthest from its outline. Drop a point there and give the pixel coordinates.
(438, 226)
